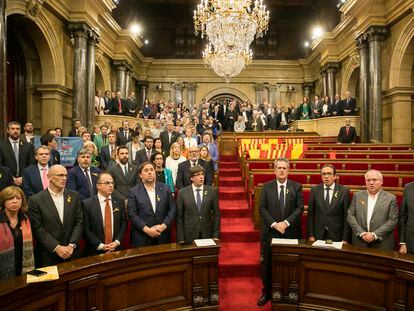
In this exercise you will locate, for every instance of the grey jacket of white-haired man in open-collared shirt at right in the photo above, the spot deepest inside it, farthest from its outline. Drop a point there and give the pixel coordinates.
(383, 220)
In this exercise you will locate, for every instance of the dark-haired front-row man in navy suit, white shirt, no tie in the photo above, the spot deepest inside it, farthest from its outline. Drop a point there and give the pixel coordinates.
(151, 209)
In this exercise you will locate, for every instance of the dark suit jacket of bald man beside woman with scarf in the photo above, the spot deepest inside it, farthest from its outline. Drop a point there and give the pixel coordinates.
(48, 229)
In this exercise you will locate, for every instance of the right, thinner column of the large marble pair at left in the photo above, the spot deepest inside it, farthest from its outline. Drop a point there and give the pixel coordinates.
(90, 111)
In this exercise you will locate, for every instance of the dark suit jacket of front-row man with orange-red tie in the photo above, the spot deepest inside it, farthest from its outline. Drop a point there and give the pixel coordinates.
(93, 225)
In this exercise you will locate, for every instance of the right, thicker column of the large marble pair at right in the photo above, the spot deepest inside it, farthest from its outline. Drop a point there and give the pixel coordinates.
(375, 36)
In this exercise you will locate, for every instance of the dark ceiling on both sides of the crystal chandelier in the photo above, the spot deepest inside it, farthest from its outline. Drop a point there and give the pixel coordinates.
(168, 26)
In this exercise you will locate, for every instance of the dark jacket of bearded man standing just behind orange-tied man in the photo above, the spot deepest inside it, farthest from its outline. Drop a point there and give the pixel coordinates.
(122, 183)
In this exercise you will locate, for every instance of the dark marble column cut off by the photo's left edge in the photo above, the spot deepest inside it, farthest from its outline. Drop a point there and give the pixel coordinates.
(3, 69)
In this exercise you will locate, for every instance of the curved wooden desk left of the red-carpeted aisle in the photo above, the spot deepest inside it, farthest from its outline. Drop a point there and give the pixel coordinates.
(161, 277)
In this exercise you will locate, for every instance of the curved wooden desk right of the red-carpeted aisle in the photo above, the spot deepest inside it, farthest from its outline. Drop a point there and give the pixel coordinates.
(309, 278)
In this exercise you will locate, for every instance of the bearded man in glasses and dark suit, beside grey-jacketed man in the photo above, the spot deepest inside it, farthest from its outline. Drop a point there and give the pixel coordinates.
(328, 208)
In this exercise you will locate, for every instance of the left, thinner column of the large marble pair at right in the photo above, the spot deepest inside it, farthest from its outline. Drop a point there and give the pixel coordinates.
(362, 45)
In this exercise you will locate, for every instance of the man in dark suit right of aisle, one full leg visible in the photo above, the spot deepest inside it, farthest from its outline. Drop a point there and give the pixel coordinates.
(281, 206)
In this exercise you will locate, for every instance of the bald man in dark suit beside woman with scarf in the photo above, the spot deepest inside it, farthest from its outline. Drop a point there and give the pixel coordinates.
(56, 220)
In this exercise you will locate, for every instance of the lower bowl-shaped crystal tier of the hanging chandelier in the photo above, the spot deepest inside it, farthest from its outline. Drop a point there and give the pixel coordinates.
(226, 64)
